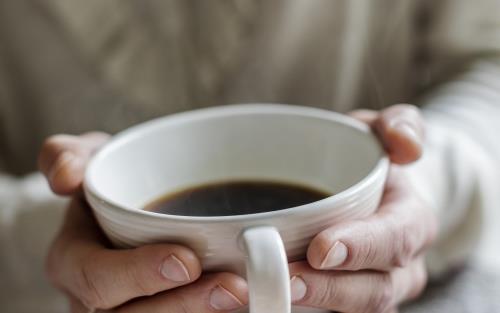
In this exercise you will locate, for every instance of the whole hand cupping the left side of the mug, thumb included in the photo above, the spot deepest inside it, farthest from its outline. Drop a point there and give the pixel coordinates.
(151, 278)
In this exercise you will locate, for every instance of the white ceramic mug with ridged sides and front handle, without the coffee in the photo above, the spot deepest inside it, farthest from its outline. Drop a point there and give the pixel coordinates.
(313, 147)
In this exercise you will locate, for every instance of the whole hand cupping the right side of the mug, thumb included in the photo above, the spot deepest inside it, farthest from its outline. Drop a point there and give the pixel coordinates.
(374, 264)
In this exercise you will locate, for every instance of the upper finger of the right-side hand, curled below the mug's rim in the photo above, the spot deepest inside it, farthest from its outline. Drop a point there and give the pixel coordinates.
(401, 228)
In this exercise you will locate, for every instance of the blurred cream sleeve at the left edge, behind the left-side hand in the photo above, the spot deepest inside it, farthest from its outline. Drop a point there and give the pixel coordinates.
(29, 217)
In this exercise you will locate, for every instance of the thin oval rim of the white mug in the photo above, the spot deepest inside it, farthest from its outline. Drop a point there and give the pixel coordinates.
(123, 137)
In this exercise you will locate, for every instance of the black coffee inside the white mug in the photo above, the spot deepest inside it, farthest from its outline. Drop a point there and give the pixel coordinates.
(235, 198)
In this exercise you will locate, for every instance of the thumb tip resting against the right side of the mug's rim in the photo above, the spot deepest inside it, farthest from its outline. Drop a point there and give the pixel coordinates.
(401, 130)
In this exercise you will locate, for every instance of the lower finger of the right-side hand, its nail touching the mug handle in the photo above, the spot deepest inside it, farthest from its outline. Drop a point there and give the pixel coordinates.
(363, 291)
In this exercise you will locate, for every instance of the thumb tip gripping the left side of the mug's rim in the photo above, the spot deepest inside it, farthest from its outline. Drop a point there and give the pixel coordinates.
(63, 159)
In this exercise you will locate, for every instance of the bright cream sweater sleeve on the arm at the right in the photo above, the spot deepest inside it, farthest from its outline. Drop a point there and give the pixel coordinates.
(459, 174)
